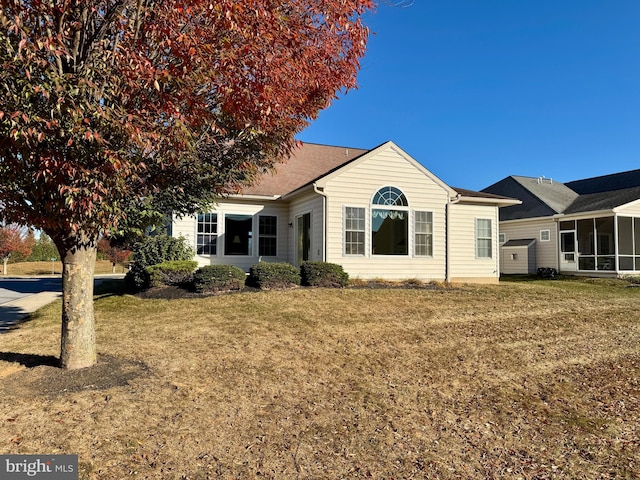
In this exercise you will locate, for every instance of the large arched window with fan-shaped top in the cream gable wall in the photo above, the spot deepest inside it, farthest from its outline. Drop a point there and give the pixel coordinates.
(389, 222)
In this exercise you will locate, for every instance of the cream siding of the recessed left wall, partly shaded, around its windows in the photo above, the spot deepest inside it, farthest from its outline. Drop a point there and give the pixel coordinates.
(187, 228)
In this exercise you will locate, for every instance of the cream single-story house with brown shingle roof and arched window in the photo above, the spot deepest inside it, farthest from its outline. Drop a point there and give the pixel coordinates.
(378, 213)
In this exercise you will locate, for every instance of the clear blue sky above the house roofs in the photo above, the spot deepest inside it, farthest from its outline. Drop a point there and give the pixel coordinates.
(477, 90)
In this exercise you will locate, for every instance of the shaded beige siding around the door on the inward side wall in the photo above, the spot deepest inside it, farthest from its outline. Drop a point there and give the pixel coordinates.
(307, 203)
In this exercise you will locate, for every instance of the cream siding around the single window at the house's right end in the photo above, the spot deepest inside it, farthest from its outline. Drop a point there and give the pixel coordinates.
(464, 263)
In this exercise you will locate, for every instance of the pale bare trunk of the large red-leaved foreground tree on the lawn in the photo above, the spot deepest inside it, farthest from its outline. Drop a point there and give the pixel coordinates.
(78, 341)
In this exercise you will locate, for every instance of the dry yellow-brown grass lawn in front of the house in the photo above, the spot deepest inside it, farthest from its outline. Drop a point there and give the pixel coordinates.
(524, 380)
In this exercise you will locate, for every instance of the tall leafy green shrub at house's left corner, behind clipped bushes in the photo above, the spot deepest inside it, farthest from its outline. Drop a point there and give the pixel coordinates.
(152, 251)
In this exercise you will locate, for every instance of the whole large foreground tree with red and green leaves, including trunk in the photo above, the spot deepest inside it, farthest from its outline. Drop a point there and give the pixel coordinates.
(109, 105)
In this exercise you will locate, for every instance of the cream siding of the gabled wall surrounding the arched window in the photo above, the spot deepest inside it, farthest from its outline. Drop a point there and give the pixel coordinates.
(355, 187)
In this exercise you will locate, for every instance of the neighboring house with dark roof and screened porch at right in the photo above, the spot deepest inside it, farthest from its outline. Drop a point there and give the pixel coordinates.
(589, 226)
